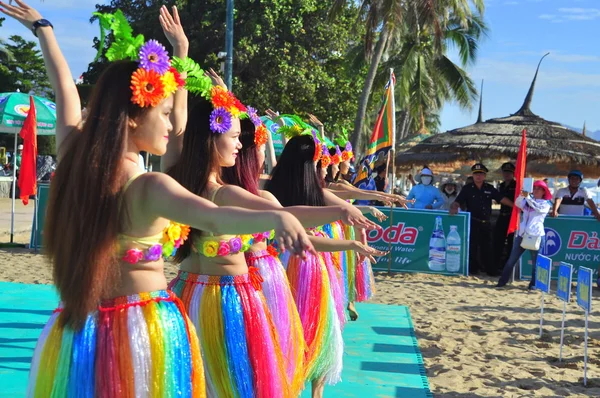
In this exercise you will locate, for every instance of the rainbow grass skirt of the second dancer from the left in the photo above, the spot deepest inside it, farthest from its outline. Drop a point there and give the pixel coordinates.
(239, 341)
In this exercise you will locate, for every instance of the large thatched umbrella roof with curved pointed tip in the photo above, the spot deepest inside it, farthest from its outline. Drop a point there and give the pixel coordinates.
(548, 143)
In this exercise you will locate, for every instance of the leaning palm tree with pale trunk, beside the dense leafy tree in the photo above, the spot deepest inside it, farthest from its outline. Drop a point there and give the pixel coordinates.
(385, 19)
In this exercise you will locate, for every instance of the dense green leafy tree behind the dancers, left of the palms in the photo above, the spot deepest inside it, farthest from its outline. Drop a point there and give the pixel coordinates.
(287, 55)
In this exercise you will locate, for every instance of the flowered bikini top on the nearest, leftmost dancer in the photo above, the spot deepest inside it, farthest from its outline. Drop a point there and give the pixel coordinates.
(151, 248)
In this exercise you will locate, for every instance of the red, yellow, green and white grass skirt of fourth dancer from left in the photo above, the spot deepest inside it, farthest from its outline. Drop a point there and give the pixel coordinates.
(317, 291)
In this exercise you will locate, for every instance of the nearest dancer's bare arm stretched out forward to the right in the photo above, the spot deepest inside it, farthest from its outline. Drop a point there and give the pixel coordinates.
(168, 199)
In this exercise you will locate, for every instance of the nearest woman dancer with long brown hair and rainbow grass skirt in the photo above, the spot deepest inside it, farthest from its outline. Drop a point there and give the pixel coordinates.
(119, 332)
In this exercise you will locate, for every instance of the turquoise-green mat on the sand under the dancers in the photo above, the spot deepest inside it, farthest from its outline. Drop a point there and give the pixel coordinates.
(382, 357)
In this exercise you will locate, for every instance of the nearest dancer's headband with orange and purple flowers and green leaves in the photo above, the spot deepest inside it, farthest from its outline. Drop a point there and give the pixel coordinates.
(157, 76)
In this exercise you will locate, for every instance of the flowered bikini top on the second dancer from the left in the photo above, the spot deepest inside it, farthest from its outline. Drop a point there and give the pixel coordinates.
(223, 245)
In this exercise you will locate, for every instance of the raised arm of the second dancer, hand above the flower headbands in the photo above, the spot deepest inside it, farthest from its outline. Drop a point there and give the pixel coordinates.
(171, 25)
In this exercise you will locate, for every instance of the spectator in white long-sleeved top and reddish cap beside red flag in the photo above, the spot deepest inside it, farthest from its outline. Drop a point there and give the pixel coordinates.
(531, 230)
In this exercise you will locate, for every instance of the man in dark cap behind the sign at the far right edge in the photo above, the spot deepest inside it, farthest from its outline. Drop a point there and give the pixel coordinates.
(571, 200)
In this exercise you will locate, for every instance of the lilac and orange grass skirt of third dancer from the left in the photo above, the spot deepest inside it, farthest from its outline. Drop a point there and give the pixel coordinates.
(276, 289)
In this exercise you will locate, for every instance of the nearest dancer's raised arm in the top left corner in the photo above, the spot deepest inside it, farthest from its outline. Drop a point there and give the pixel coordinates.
(68, 104)
